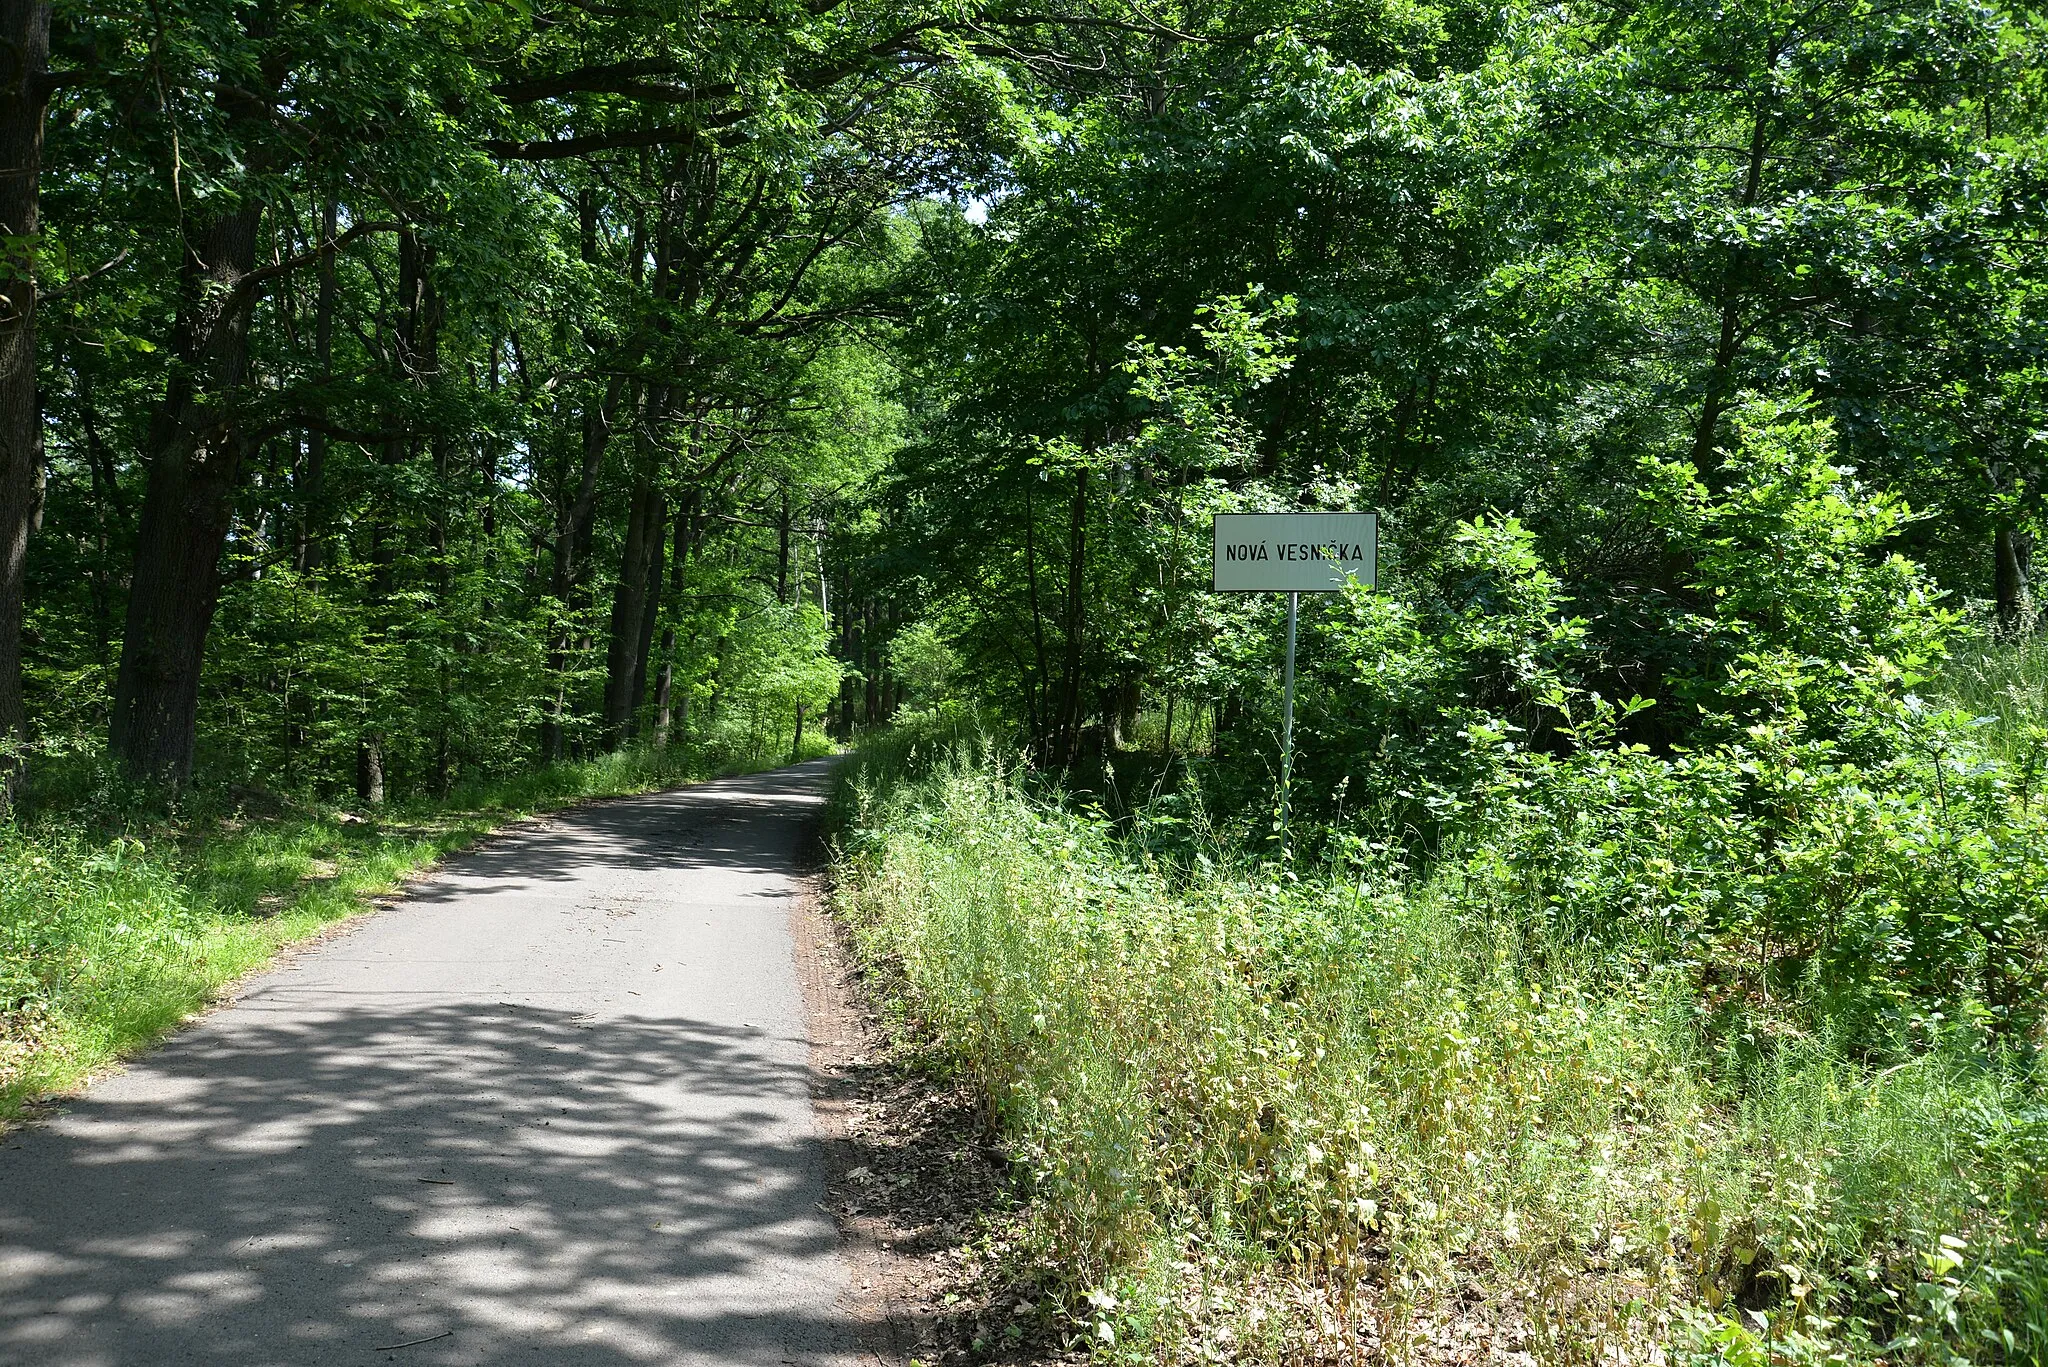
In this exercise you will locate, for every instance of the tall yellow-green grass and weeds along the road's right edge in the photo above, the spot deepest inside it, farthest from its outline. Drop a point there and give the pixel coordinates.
(1273, 1118)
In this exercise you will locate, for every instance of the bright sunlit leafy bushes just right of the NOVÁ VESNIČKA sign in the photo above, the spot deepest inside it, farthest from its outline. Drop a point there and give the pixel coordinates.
(1787, 626)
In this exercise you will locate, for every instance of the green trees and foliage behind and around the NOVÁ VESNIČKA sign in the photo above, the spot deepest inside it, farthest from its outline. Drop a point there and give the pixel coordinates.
(1576, 270)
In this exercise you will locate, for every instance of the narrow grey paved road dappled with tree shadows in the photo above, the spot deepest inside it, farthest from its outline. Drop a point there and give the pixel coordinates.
(550, 1110)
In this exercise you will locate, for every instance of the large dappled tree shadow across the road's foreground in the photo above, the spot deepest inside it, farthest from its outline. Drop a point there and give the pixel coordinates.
(509, 1184)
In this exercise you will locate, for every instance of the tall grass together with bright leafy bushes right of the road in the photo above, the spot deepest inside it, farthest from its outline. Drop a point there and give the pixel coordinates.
(1721, 1038)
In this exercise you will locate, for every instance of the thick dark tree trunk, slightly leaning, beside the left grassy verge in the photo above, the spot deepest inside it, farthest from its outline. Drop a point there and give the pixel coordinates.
(196, 454)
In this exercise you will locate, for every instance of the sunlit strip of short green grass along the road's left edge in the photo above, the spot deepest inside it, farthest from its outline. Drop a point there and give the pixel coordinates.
(116, 934)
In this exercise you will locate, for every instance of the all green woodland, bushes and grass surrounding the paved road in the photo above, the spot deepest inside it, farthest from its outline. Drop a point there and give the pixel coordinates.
(417, 411)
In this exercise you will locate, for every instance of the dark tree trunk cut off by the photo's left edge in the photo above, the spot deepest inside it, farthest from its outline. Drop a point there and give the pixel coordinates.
(24, 97)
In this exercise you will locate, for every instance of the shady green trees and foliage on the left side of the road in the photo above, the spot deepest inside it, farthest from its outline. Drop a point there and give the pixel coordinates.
(482, 421)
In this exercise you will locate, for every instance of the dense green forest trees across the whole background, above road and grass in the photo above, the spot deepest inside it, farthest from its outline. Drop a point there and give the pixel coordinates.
(411, 390)
